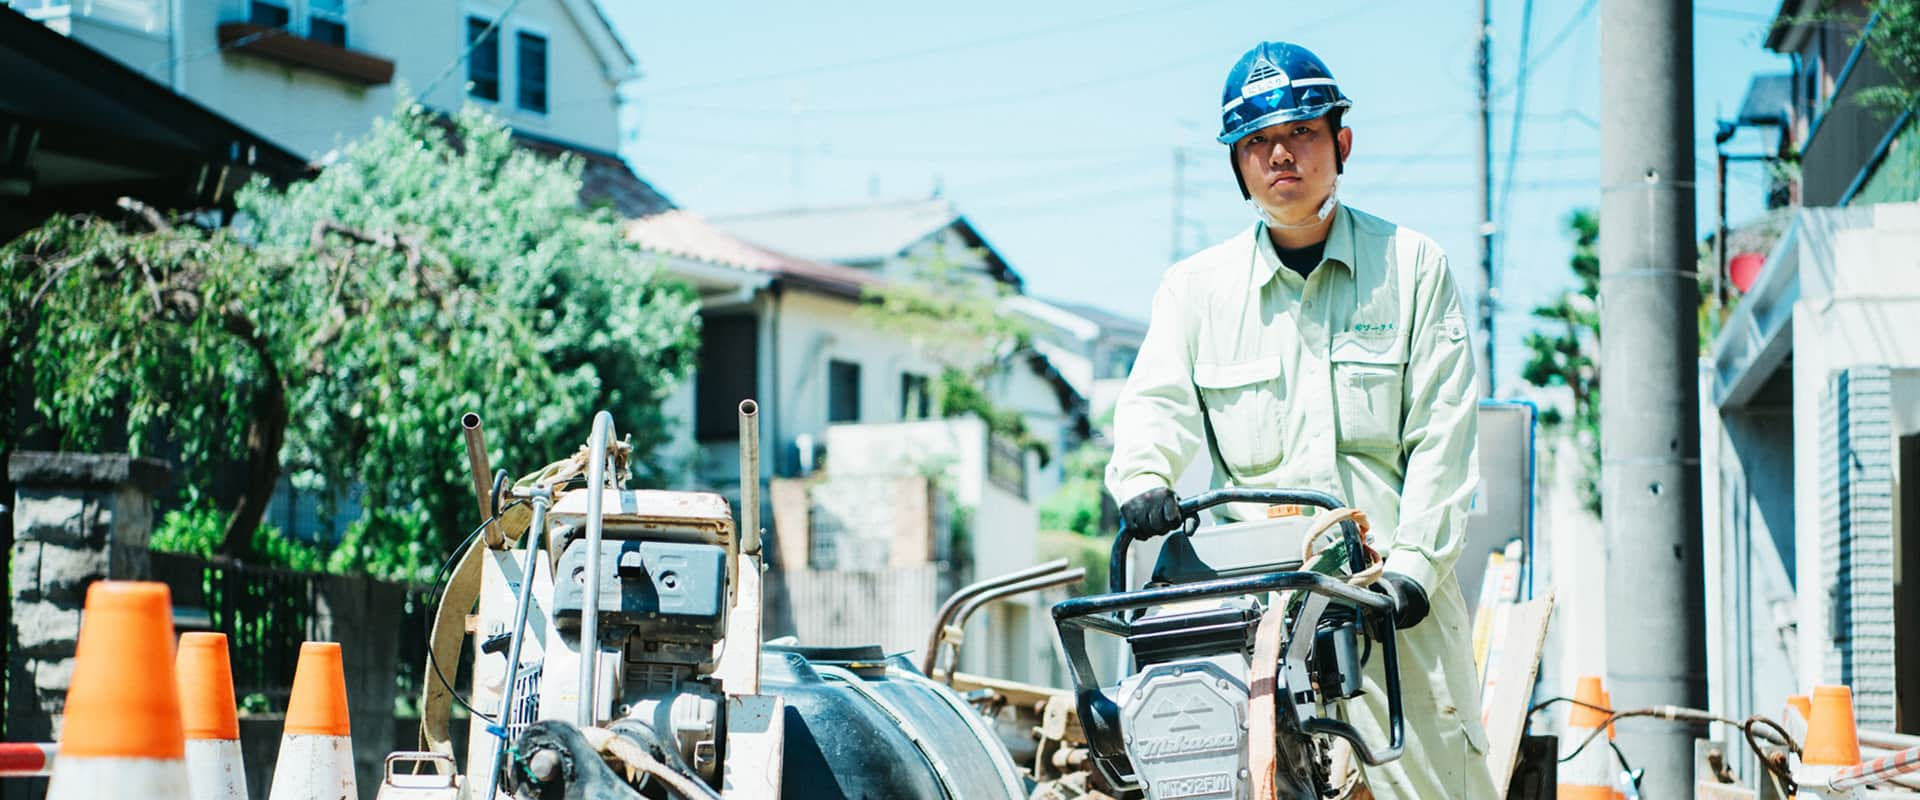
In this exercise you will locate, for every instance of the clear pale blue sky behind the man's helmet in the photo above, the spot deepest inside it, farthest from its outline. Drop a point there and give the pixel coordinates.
(1055, 128)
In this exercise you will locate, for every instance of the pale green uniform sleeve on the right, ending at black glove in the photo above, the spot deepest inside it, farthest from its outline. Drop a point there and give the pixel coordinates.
(1439, 433)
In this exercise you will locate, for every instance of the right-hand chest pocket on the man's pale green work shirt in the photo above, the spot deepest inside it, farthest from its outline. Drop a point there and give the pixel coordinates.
(1370, 375)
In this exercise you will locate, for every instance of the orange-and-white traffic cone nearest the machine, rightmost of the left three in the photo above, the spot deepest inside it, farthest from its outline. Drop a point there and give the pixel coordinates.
(316, 747)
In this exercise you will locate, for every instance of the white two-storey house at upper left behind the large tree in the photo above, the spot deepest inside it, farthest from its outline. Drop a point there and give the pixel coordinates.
(316, 74)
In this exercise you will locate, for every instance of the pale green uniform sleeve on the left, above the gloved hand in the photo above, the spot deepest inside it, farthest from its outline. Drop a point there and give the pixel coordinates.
(1159, 423)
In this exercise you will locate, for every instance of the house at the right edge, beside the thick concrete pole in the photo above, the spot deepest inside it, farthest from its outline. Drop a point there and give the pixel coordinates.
(1812, 415)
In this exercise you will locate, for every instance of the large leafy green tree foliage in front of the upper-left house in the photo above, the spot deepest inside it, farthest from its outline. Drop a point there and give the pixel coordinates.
(343, 323)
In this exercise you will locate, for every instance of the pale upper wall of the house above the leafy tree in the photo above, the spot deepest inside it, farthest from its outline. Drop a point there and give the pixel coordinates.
(314, 112)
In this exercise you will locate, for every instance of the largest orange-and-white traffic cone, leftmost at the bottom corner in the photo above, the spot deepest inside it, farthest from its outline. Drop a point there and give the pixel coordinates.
(122, 732)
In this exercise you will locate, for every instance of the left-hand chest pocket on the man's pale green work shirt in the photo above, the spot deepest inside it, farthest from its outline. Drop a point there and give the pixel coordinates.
(1243, 404)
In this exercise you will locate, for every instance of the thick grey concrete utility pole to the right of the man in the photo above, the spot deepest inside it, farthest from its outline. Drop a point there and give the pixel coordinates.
(1650, 358)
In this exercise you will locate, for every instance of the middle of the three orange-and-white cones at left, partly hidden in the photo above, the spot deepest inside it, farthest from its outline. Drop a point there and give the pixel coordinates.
(214, 766)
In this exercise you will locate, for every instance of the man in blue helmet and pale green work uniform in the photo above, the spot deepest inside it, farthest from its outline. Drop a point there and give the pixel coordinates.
(1324, 348)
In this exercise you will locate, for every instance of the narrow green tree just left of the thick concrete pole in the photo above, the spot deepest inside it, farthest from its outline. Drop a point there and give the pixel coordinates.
(1566, 350)
